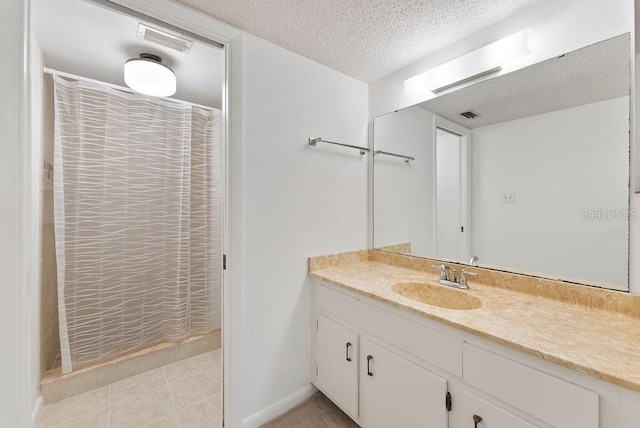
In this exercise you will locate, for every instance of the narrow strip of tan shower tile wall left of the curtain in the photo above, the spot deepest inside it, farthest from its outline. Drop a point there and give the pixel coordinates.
(49, 334)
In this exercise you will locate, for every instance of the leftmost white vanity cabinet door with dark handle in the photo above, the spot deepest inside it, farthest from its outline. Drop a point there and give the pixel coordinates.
(337, 360)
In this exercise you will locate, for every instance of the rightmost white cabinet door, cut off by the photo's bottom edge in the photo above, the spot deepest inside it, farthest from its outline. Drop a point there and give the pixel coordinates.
(480, 413)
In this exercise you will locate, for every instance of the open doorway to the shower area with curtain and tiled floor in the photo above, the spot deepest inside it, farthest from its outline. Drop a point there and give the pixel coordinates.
(86, 54)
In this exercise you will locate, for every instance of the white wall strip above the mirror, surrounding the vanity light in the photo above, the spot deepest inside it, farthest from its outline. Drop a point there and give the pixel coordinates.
(558, 26)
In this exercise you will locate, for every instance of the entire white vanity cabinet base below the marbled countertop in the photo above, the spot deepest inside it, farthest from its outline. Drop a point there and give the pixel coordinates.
(386, 369)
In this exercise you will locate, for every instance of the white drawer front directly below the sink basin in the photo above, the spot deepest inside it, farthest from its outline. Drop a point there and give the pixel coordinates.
(442, 351)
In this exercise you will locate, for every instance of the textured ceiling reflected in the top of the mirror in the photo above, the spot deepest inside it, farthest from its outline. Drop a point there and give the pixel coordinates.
(591, 74)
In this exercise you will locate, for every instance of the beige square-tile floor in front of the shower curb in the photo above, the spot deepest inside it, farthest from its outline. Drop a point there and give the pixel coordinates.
(186, 394)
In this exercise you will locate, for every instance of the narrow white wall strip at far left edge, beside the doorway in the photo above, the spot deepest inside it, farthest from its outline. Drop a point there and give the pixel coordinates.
(14, 363)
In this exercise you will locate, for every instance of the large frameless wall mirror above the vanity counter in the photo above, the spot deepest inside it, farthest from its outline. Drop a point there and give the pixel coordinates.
(528, 171)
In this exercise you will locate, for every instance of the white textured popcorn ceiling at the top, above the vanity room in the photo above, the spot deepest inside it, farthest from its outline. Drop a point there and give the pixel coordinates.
(365, 39)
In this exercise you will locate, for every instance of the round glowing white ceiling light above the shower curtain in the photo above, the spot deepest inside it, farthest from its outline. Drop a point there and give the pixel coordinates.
(147, 75)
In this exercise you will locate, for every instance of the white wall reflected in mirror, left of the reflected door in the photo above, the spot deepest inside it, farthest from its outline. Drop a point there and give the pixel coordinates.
(403, 201)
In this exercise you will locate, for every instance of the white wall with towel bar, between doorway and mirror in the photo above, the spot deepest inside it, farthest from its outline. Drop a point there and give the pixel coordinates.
(296, 201)
